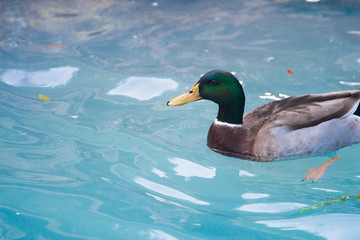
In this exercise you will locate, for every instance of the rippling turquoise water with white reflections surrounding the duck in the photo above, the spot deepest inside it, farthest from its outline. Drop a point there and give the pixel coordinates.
(105, 158)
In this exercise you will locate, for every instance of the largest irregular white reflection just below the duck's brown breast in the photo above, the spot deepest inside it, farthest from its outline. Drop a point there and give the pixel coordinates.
(187, 168)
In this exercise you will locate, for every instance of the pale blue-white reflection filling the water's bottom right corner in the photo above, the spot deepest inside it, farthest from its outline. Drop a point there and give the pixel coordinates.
(330, 226)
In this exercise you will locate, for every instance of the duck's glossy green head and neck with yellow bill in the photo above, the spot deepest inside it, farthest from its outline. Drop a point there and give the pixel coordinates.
(220, 87)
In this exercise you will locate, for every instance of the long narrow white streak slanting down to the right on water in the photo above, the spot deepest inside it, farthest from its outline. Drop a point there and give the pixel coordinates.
(156, 187)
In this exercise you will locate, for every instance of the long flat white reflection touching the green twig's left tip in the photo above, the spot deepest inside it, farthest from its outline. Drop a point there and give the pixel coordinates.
(271, 207)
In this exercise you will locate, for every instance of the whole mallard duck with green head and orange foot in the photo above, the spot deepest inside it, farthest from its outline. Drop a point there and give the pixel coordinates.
(288, 128)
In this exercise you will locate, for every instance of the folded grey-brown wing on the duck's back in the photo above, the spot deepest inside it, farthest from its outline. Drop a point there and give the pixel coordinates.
(306, 110)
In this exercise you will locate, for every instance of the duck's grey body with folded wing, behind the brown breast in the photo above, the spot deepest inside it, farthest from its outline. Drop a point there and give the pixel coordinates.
(305, 125)
